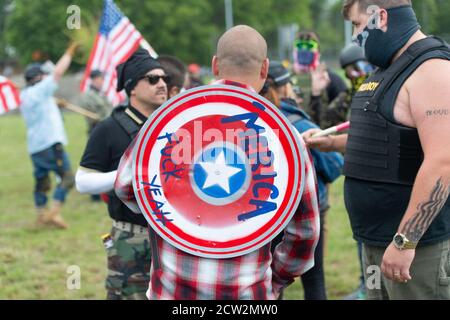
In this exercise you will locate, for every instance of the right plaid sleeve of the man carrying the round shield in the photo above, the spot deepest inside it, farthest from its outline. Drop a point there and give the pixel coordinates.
(295, 254)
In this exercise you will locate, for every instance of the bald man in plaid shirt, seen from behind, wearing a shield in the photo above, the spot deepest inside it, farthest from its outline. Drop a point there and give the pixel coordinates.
(241, 60)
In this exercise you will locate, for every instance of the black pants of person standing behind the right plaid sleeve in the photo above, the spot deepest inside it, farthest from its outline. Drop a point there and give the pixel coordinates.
(313, 280)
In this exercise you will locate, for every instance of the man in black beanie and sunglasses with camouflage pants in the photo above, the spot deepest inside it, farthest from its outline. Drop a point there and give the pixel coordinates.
(129, 257)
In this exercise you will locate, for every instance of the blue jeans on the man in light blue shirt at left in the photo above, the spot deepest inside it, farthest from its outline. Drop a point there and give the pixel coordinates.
(52, 159)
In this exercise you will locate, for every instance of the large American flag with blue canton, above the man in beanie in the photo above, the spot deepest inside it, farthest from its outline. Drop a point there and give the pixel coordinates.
(116, 41)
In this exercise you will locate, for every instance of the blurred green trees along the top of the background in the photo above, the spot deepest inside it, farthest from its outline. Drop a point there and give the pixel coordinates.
(36, 30)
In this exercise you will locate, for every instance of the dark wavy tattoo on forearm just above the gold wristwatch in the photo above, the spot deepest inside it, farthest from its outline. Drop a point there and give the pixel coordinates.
(416, 227)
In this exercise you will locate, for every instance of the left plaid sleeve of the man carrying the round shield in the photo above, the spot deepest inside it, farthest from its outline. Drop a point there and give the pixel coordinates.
(123, 185)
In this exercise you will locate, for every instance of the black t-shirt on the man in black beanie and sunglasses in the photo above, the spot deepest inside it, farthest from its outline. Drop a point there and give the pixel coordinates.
(105, 147)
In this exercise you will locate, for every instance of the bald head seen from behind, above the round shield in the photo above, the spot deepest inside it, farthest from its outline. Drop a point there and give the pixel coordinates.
(241, 53)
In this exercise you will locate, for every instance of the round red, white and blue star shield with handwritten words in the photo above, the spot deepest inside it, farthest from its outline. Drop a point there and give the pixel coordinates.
(218, 171)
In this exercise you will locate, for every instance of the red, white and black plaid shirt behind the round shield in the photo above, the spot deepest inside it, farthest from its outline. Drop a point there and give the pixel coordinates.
(254, 276)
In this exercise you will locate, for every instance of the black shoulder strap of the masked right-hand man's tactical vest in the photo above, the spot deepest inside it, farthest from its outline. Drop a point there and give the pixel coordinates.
(412, 54)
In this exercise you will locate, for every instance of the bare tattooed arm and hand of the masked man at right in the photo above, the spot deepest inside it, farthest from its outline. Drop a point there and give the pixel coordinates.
(428, 91)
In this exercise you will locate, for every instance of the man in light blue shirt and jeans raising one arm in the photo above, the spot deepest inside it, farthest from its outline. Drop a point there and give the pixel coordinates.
(46, 137)
